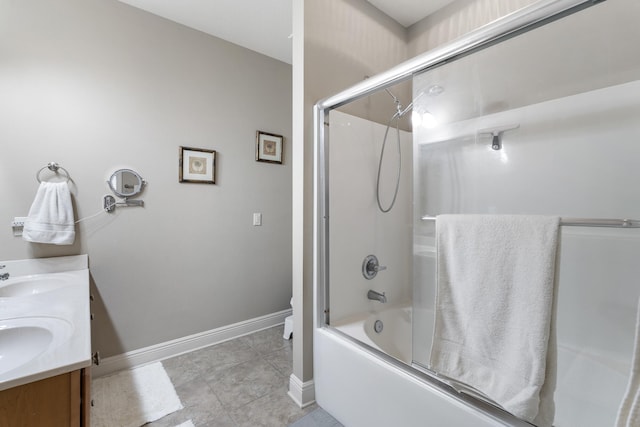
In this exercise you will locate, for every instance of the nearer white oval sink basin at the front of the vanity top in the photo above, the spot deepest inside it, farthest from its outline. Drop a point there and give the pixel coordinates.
(24, 339)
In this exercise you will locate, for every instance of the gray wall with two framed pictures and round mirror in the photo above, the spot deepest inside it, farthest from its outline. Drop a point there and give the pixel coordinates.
(97, 85)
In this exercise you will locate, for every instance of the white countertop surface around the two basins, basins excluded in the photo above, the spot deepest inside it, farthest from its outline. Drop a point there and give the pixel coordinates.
(66, 305)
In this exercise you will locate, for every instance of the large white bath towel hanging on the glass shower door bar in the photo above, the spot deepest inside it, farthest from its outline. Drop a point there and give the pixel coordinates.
(494, 307)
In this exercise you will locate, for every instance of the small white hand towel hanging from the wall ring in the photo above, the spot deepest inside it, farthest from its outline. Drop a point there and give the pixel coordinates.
(51, 217)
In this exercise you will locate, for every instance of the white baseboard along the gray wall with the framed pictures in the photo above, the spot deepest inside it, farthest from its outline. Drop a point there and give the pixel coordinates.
(186, 344)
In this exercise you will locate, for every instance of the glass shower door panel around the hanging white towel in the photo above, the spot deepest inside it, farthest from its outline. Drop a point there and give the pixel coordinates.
(564, 110)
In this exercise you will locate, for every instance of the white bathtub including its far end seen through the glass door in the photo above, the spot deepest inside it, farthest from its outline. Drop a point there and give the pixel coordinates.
(375, 370)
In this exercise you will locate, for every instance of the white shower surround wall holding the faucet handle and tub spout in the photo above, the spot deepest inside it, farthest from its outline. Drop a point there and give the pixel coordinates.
(358, 227)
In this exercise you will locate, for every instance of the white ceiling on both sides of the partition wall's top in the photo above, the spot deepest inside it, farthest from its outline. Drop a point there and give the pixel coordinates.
(243, 22)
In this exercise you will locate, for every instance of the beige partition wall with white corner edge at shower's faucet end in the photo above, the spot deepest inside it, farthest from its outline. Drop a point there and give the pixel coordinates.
(336, 43)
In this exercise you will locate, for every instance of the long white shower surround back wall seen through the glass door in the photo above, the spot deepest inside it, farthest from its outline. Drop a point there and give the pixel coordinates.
(568, 157)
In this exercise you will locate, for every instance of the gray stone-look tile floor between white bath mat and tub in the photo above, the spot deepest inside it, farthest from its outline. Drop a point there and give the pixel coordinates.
(238, 383)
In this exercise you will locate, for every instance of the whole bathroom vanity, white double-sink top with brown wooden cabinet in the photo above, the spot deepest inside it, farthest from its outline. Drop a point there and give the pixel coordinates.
(45, 342)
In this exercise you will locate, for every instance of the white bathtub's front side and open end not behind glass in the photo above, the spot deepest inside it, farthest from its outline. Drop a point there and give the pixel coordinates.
(372, 372)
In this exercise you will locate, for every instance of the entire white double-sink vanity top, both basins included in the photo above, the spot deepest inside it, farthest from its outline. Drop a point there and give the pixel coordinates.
(44, 319)
